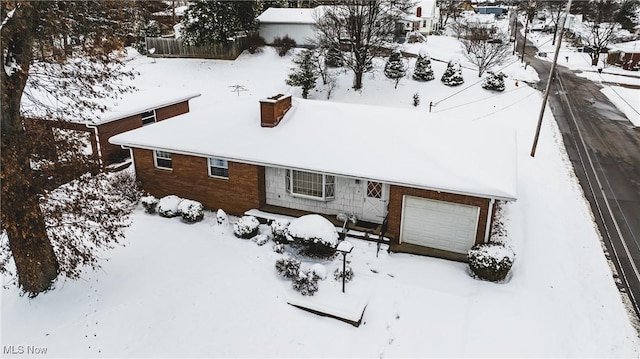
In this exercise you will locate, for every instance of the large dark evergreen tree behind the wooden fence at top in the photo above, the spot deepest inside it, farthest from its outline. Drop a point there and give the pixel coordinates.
(208, 22)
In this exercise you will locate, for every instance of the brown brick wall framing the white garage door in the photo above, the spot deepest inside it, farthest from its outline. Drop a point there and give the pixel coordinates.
(395, 208)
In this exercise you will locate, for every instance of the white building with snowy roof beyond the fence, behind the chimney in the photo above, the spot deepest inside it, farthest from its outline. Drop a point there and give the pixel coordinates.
(296, 23)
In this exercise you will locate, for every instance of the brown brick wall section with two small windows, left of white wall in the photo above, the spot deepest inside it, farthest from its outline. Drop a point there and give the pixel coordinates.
(243, 190)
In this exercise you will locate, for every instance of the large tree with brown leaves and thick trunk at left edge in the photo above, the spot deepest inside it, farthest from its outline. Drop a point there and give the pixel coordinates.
(59, 61)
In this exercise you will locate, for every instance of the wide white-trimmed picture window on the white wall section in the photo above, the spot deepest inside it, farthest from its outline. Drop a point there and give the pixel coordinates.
(310, 184)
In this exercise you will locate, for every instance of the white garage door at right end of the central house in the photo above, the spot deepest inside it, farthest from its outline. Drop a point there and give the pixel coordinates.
(436, 224)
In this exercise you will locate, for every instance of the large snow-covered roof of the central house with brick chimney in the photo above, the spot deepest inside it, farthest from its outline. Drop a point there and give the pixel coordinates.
(398, 146)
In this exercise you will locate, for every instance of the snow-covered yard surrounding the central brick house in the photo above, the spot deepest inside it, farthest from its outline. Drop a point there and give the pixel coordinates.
(178, 290)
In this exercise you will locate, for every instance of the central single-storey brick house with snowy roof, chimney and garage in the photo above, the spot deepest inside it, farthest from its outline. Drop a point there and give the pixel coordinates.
(435, 184)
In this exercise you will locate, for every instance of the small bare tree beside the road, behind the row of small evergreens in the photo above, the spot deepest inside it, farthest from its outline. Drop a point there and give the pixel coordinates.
(484, 48)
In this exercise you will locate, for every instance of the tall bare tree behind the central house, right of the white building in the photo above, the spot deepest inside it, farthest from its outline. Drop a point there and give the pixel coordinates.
(362, 28)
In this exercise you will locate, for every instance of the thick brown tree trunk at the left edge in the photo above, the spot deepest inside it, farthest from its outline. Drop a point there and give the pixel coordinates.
(21, 217)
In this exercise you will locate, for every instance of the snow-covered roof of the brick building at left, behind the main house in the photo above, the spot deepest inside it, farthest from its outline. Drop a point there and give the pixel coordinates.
(141, 101)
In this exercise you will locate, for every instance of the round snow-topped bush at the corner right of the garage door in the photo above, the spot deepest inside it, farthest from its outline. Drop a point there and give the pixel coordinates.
(491, 261)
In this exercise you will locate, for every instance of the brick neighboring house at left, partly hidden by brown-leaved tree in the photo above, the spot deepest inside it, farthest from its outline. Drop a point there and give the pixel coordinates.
(131, 111)
